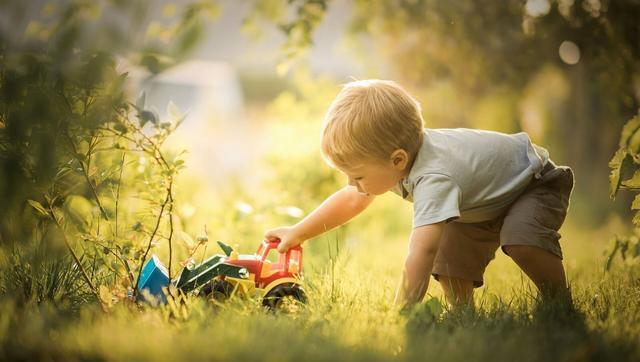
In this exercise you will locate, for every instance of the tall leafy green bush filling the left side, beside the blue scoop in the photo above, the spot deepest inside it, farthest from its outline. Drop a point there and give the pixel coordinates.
(70, 138)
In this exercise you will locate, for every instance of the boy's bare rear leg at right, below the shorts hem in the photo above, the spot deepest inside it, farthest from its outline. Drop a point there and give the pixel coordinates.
(542, 267)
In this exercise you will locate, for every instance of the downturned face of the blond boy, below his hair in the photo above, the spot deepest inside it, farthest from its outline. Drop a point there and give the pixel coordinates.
(373, 178)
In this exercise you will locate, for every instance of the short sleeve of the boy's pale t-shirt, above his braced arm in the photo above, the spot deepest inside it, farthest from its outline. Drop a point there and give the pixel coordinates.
(436, 198)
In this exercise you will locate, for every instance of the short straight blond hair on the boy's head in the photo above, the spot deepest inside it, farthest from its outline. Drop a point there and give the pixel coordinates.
(368, 120)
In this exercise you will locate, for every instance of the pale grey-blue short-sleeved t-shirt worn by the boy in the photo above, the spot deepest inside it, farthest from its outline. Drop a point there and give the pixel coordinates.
(469, 175)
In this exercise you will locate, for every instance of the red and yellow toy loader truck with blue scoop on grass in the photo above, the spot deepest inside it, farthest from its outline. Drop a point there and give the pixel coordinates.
(223, 276)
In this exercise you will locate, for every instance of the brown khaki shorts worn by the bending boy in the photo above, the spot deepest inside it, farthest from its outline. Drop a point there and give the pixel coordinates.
(533, 219)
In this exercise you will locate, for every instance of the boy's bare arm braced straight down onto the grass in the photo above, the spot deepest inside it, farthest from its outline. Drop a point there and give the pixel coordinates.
(423, 247)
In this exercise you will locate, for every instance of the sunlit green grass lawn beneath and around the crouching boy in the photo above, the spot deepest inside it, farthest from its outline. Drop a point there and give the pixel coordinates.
(350, 317)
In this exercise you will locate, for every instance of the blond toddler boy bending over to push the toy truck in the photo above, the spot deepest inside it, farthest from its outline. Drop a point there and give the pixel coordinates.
(472, 191)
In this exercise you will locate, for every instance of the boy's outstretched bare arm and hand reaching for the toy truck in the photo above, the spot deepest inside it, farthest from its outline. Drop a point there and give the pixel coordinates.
(336, 210)
